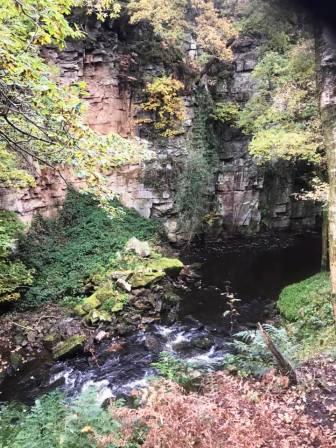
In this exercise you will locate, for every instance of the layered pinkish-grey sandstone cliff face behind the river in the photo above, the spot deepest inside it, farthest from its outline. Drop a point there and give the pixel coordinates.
(115, 67)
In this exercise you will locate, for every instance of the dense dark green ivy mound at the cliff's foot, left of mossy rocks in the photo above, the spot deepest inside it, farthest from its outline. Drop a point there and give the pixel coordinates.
(84, 240)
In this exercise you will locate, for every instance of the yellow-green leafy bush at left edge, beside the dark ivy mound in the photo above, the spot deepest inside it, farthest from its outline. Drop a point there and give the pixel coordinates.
(13, 274)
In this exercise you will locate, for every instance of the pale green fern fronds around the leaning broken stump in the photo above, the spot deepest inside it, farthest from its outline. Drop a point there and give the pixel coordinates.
(252, 357)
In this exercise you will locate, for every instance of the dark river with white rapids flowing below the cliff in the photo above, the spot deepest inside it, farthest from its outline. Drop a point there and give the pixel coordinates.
(247, 270)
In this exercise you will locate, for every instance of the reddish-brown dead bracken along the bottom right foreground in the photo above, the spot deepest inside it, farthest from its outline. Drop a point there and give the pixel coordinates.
(231, 413)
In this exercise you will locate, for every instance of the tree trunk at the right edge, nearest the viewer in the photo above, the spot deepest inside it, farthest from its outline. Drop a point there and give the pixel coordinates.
(326, 71)
